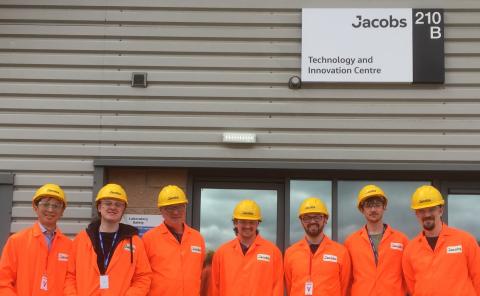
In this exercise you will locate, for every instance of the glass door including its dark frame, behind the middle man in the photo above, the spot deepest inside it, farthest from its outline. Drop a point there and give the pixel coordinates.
(214, 204)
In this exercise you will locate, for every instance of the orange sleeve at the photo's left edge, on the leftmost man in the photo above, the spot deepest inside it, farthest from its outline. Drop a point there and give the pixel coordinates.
(8, 269)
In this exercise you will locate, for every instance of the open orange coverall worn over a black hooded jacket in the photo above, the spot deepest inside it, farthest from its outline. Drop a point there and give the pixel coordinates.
(125, 277)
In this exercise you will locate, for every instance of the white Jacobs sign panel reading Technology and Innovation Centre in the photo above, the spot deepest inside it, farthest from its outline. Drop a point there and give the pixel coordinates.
(357, 45)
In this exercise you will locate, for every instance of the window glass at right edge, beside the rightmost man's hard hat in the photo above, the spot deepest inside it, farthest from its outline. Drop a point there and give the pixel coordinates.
(463, 211)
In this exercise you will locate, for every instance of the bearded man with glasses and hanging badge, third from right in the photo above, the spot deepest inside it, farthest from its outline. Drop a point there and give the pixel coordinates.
(316, 265)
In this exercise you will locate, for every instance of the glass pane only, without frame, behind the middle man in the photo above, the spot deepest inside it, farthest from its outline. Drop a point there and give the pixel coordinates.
(216, 213)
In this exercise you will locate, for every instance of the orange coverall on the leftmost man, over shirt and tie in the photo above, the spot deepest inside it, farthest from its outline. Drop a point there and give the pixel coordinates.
(25, 259)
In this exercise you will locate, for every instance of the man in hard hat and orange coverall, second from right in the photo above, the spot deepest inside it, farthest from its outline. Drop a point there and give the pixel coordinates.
(376, 249)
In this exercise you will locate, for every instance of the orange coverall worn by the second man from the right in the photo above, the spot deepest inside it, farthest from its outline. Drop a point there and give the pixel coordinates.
(386, 278)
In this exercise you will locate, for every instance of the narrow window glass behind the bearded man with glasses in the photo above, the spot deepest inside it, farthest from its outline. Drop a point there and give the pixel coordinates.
(301, 189)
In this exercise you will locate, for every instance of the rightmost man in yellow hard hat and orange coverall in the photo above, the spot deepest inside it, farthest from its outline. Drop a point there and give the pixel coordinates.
(441, 260)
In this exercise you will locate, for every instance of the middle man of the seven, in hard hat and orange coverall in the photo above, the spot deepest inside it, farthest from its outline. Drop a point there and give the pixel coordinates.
(248, 264)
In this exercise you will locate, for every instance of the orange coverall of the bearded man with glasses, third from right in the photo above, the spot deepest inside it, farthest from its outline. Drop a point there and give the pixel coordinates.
(328, 269)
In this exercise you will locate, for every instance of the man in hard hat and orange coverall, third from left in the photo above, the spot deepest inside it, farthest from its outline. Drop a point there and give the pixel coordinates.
(175, 250)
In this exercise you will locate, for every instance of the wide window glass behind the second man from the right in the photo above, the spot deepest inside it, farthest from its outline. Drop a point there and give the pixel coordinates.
(398, 214)
